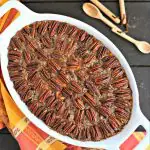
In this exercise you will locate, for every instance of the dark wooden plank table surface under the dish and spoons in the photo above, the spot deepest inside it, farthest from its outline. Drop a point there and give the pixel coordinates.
(139, 22)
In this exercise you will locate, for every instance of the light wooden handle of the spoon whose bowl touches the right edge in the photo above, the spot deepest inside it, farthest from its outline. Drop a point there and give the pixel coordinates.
(125, 36)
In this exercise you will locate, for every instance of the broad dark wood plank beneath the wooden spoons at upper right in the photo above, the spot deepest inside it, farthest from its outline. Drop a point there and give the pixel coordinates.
(138, 24)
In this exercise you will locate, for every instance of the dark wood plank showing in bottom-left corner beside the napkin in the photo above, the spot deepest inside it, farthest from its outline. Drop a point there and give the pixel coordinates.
(7, 142)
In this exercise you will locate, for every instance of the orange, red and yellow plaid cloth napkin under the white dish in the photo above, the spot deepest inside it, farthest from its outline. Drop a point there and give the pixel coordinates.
(27, 134)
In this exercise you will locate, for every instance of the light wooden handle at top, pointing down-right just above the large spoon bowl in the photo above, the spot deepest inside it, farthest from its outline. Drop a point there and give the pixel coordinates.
(106, 11)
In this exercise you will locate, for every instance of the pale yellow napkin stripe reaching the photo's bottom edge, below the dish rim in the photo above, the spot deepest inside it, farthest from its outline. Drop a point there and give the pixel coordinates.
(44, 145)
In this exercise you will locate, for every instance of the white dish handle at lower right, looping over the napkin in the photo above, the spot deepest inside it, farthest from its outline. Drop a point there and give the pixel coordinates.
(143, 121)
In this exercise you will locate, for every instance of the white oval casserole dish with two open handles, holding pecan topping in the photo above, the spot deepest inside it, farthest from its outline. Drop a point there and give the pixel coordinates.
(27, 17)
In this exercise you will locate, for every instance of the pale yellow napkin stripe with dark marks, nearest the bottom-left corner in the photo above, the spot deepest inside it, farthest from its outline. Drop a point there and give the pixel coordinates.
(20, 126)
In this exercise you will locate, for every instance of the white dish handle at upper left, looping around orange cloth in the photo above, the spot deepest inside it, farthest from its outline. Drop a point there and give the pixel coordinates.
(24, 13)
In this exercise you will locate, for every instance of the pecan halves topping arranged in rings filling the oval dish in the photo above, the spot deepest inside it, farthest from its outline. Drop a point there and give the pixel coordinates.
(70, 80)
